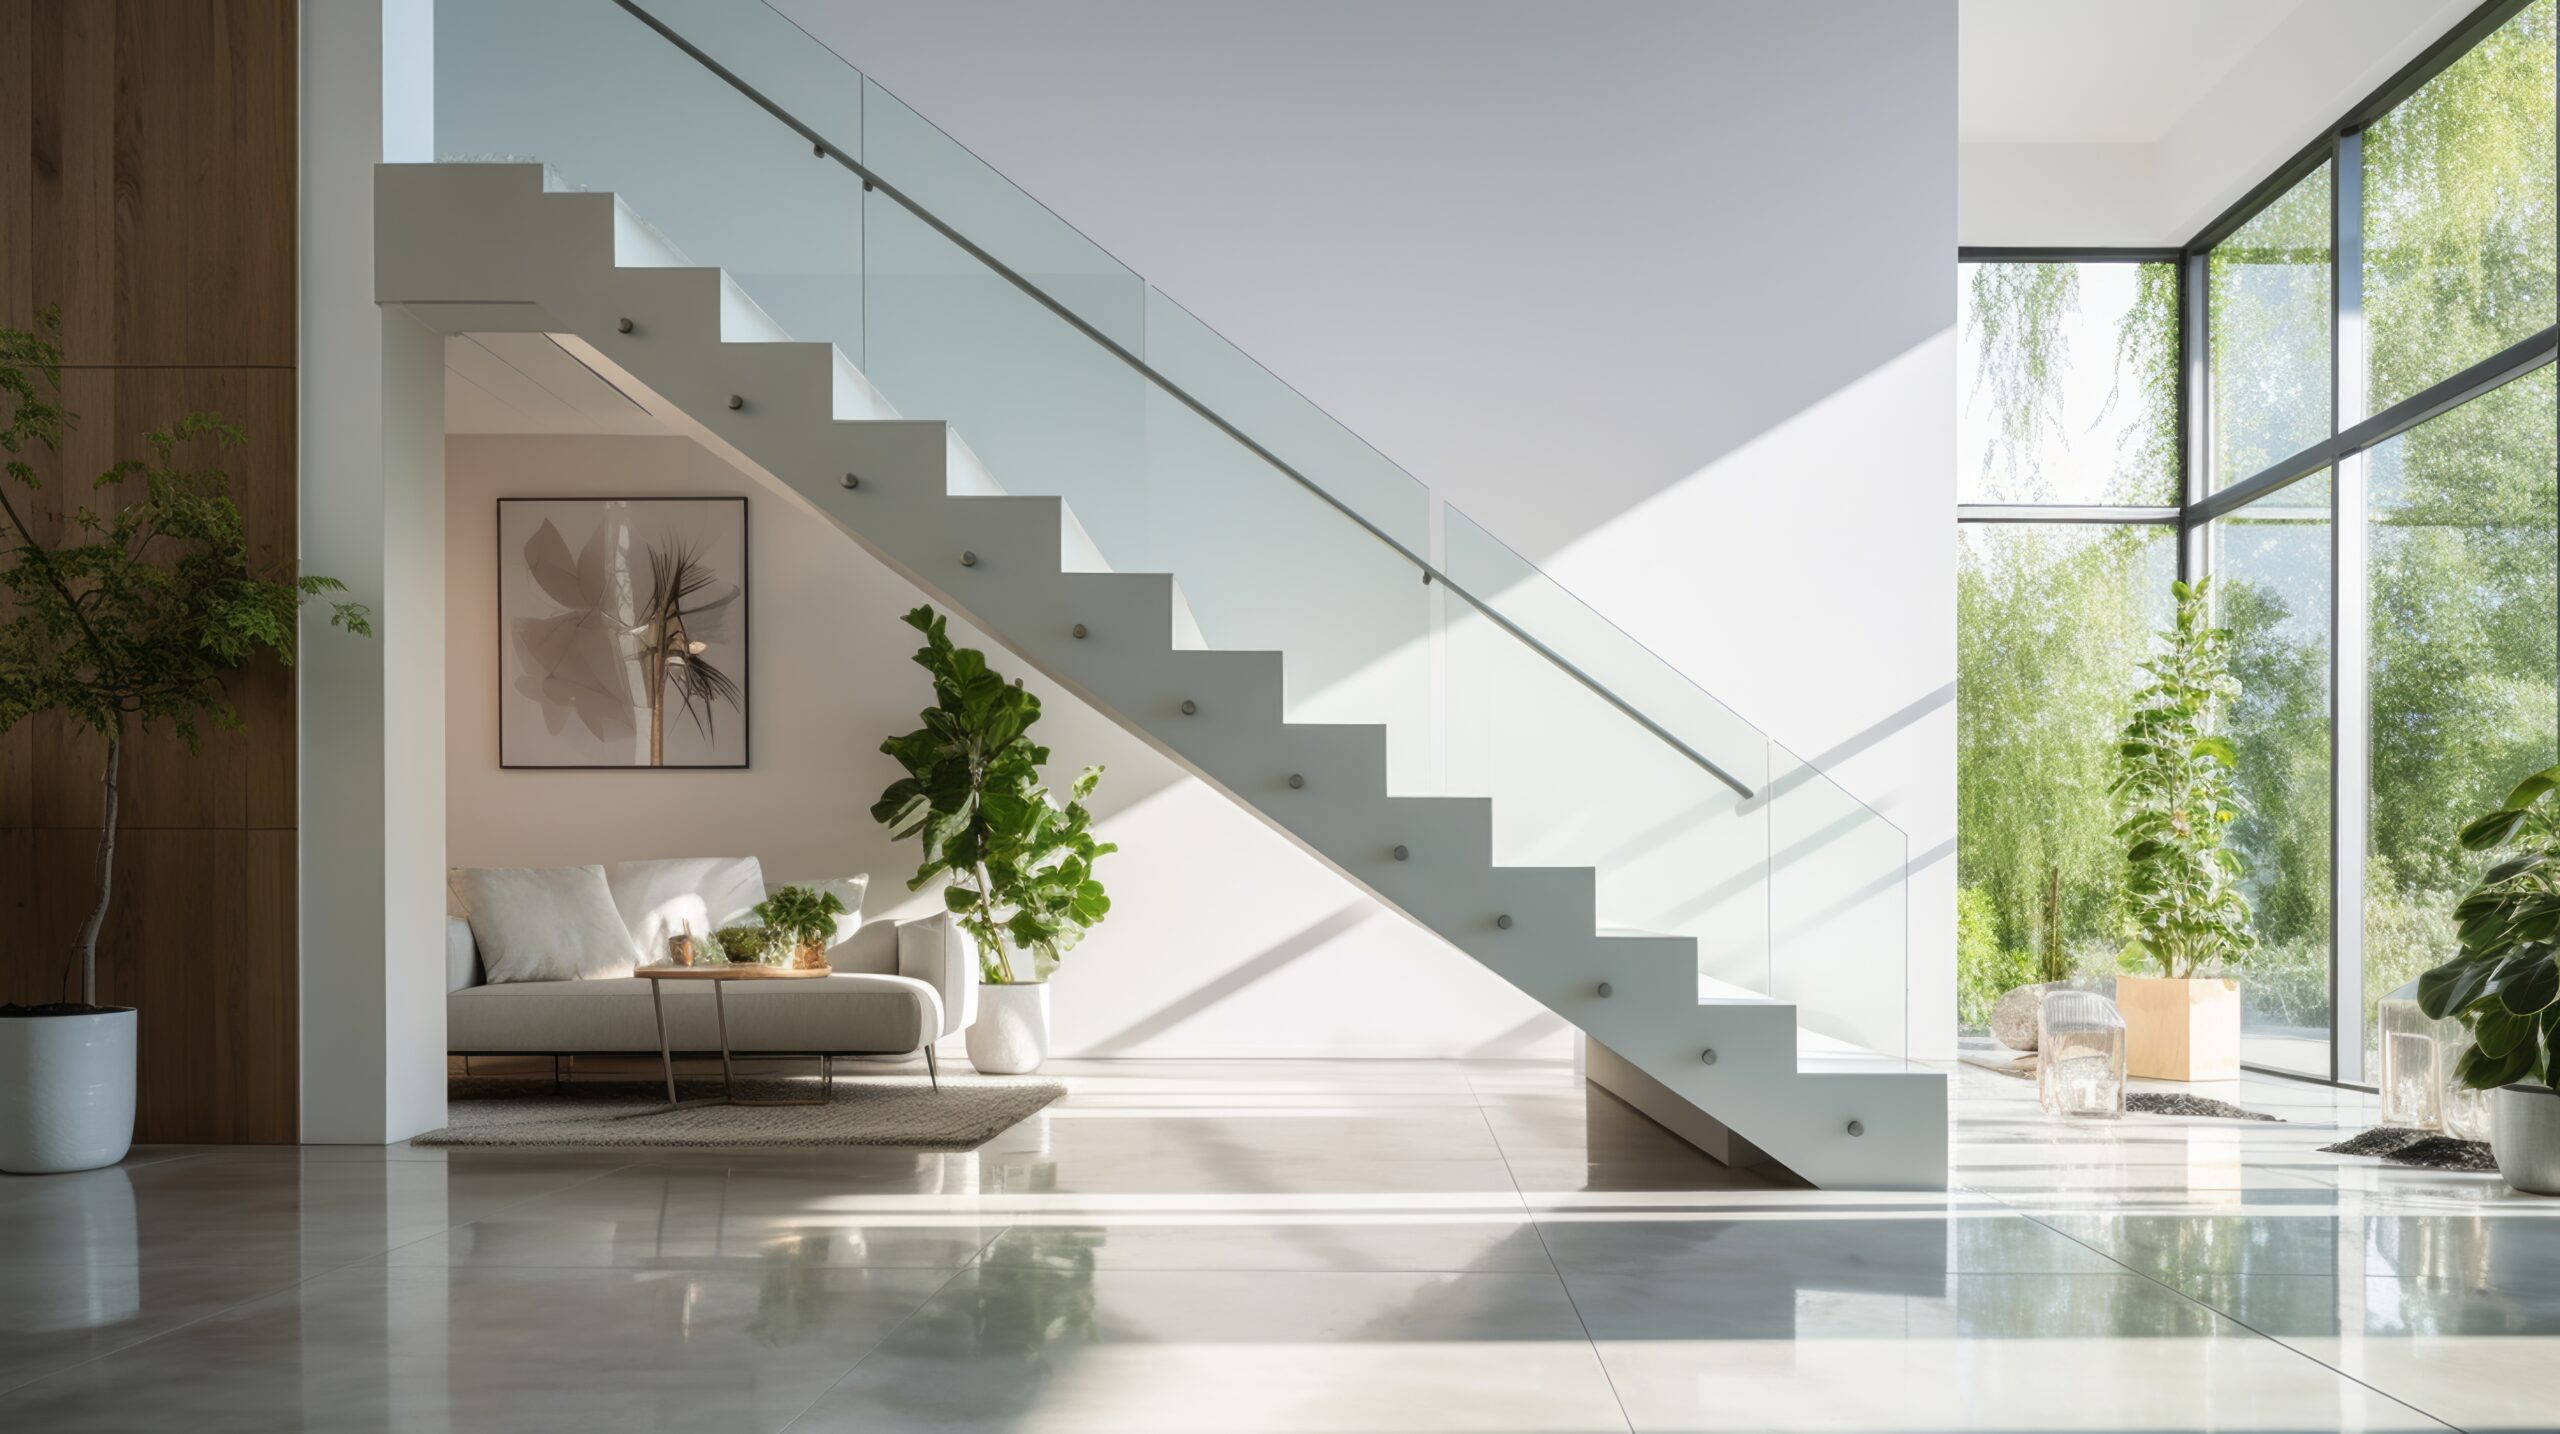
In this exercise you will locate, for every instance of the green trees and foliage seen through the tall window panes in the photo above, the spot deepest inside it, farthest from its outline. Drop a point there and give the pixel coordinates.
(2464, 557)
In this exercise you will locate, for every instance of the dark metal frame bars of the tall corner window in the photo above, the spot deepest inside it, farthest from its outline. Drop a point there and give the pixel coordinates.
(2344, 452)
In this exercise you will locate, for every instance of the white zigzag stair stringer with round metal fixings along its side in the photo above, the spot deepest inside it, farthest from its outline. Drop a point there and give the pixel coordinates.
(485, 247)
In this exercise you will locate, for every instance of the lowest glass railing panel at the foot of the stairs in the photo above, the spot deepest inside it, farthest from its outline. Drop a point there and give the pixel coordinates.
(1837, 910)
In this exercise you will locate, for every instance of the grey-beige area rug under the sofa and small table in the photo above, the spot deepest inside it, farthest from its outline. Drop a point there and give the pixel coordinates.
(867, 1110)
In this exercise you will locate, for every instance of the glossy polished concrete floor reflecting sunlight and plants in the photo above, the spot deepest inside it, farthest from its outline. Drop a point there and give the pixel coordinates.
(1292, 1248)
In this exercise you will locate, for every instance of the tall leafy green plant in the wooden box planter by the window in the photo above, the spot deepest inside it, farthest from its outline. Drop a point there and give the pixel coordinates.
(2175, 795)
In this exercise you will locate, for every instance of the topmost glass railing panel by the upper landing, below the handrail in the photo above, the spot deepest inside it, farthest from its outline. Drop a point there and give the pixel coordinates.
(611, 104)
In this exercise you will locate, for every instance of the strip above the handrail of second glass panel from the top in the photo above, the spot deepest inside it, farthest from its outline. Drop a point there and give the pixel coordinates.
(961, 191)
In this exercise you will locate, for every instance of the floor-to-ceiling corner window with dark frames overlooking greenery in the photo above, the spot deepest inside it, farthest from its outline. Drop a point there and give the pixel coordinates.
(2339, 403)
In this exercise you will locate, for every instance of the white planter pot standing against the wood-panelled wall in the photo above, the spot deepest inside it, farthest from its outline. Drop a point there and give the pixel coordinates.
(65, 1092)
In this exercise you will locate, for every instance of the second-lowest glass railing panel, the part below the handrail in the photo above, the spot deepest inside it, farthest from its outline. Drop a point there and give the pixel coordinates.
(1578, 782)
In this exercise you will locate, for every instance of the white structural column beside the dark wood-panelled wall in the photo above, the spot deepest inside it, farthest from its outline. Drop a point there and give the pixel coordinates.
(372, 516)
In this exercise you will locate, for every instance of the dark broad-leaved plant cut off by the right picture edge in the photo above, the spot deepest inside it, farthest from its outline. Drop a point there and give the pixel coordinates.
(2505, 985)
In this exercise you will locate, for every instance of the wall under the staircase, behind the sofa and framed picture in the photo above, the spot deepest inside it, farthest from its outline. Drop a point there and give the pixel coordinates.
(1225, 939)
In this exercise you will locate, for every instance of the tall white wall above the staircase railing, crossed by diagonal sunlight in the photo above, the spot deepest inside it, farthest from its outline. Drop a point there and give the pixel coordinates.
(1658, 291)
